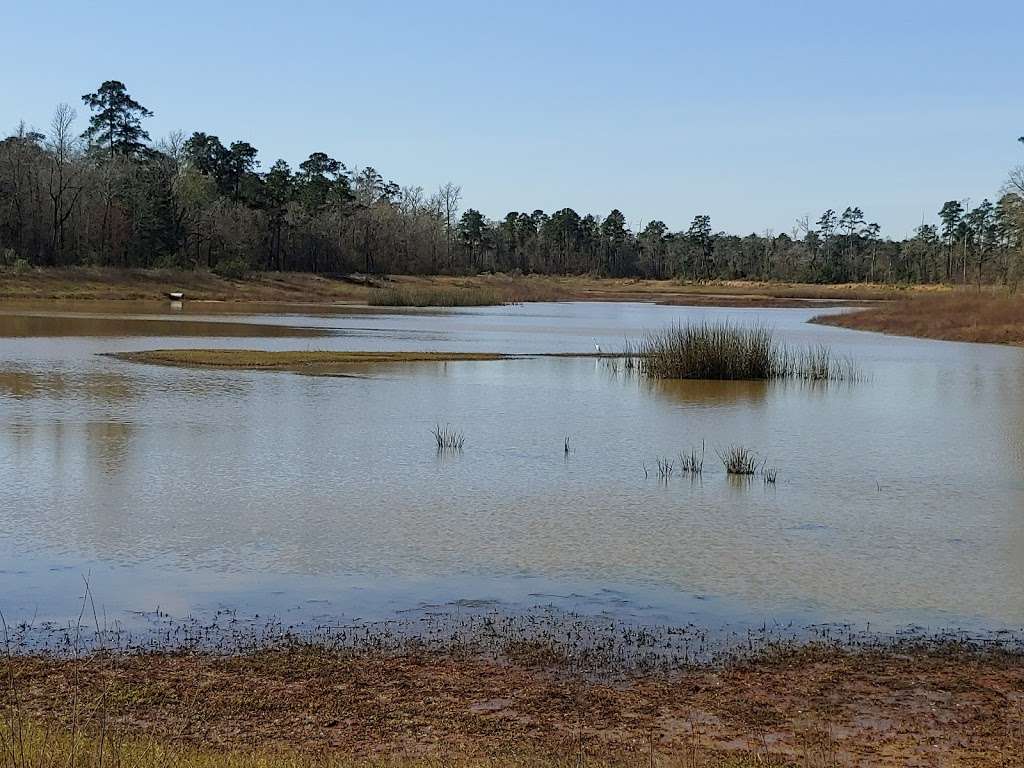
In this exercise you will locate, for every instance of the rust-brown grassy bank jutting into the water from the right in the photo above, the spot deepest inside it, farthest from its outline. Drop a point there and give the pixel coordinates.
(988, 316)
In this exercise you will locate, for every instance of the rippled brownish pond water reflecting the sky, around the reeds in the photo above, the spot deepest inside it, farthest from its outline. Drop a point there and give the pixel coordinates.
(900, 499)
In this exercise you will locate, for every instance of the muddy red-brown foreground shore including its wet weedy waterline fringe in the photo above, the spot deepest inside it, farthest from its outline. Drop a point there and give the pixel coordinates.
(491, 689)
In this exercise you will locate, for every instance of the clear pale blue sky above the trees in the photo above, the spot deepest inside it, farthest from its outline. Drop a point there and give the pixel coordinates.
(755, 113)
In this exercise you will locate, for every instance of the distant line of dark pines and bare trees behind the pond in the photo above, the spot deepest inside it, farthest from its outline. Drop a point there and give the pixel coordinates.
(112, 197)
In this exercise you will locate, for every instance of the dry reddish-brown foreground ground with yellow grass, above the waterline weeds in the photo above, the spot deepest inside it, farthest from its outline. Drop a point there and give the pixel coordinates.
(308, 707)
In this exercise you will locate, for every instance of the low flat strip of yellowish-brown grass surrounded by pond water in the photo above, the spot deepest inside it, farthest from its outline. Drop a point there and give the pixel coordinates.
(292, 360)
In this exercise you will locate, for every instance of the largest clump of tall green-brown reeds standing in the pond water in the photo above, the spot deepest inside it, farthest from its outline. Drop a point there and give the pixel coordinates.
(728, 352)
